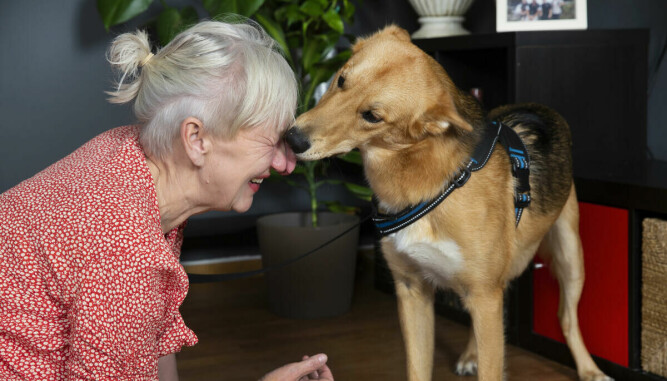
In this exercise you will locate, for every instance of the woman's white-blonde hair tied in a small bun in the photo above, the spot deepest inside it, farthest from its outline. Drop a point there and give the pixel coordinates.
(231, 76)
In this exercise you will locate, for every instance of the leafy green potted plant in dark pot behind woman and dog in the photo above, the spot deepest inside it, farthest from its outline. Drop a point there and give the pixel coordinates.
(308, 32)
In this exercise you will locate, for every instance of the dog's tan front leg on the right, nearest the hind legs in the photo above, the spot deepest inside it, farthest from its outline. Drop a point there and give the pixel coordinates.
(486, 310)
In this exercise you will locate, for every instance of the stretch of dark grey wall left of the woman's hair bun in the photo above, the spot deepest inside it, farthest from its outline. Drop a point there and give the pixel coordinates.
(53, 75)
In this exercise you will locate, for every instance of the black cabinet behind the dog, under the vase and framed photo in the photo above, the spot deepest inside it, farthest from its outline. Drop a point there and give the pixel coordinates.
(596, 79)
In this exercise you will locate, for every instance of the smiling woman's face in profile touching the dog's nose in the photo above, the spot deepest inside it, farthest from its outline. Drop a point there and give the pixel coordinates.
(238, 166)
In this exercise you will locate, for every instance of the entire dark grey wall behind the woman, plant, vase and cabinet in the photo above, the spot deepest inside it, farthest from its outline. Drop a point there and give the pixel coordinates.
(53, 75)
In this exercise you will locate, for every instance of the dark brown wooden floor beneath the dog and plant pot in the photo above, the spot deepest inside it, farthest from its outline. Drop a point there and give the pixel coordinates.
(239, 339)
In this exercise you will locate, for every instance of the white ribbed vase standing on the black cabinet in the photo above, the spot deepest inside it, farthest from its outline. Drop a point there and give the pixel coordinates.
(440, 18)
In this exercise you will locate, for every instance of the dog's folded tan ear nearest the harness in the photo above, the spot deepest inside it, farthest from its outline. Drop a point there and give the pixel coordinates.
(436, 120)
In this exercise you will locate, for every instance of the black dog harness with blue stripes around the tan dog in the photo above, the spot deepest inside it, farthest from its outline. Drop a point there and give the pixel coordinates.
(495, 131)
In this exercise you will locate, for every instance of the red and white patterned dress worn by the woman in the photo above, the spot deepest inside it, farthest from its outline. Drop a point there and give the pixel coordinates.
(90, 287)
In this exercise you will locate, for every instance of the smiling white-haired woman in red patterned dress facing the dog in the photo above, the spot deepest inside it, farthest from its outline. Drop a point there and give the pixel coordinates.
(90, 280)
